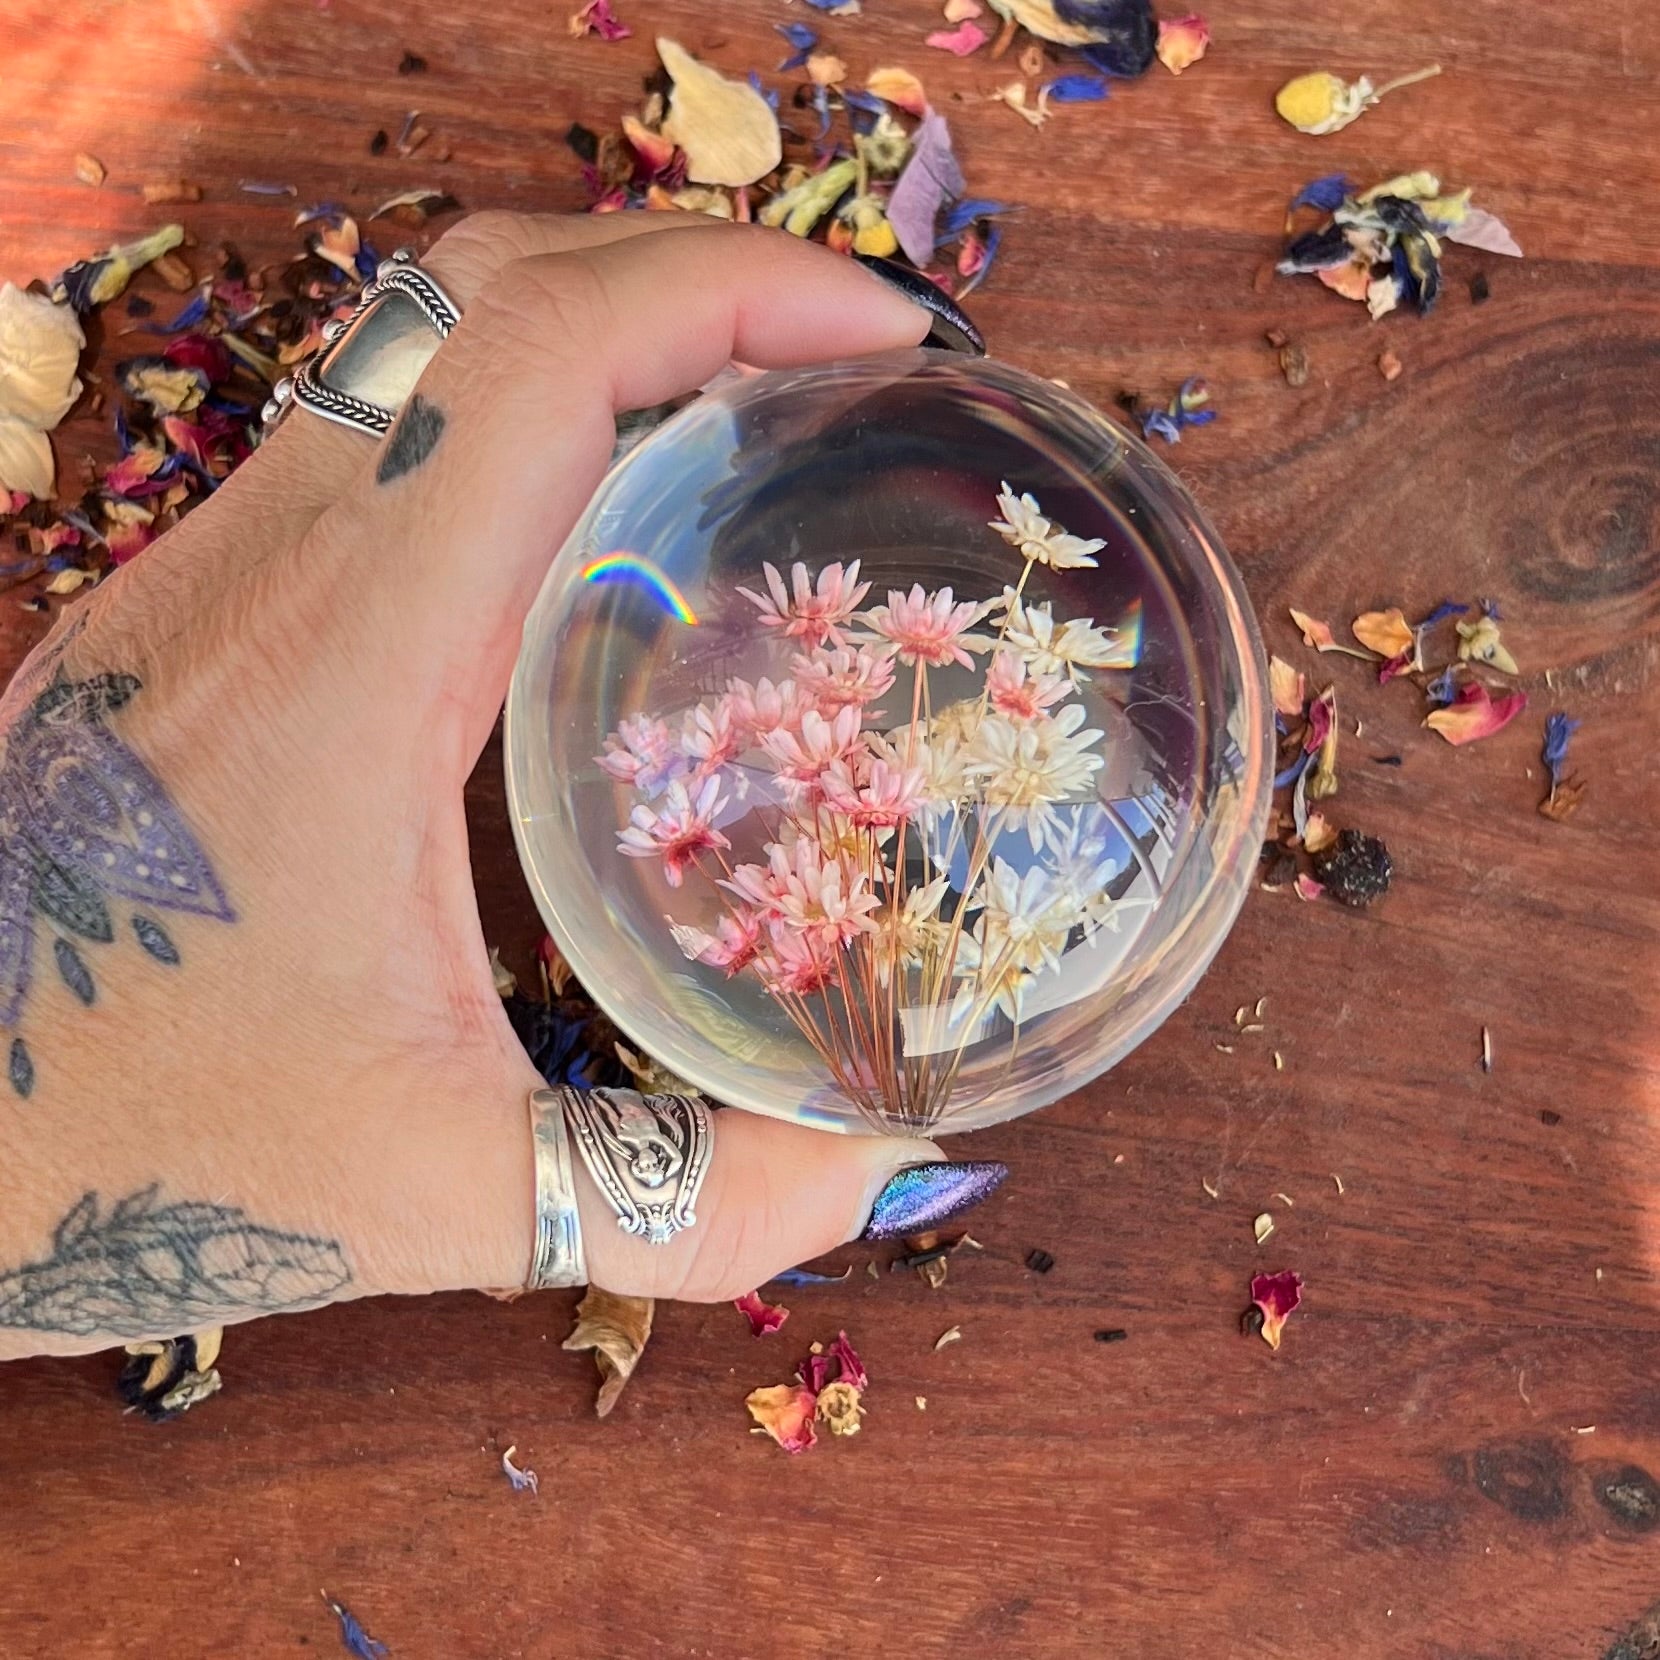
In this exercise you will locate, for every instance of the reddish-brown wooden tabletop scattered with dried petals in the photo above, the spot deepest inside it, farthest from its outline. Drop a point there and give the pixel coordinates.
(1453, 1453)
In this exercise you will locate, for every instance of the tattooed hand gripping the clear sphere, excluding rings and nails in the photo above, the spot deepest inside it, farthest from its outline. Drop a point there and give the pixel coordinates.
(255, 1058)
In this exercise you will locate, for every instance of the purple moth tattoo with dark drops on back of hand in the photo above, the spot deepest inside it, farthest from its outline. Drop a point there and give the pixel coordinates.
(84, 828)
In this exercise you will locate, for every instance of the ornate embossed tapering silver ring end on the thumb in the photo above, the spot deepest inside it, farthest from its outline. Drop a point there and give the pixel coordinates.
(648, 1155)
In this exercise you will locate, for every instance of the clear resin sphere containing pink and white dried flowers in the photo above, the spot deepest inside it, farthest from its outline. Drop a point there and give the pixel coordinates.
(891, 745)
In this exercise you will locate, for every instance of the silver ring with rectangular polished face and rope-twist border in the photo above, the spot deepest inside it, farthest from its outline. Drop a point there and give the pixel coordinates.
(371, 361)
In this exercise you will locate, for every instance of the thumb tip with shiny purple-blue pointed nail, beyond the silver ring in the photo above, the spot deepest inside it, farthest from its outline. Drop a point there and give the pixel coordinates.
(779, 1194)
